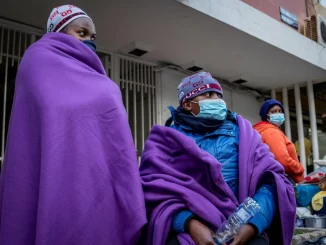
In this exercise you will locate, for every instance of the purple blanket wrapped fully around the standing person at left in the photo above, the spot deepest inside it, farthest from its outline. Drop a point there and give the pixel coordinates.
(70, 173)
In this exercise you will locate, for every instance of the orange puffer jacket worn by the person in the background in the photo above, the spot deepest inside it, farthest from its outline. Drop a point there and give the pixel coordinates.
(282, 148)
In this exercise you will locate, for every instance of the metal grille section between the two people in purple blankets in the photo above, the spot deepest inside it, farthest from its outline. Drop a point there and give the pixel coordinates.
(138, 84)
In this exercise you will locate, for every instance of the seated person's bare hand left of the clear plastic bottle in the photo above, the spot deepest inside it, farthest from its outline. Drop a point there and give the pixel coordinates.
(200, 233)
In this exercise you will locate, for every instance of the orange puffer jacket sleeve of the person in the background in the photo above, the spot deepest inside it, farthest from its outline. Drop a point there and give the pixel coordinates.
(277, 146)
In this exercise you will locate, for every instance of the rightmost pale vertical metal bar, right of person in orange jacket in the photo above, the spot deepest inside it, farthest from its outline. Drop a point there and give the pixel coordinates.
(313, 123)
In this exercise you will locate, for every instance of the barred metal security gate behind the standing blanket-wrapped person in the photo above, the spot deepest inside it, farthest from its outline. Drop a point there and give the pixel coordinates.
(138, 82)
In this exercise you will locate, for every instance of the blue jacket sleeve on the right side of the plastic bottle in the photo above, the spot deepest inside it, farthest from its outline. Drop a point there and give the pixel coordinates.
(266, 198)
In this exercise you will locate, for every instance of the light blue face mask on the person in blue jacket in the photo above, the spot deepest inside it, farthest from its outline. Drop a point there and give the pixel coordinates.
(212, 109)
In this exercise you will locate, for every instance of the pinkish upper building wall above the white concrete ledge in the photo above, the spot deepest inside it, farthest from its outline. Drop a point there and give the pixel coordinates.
(272, 8)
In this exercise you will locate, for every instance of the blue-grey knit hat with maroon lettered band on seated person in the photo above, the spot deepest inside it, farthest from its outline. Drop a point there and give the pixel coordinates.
(197, 84)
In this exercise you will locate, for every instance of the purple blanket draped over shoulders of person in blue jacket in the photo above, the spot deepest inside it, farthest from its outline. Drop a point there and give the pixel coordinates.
(176, 174)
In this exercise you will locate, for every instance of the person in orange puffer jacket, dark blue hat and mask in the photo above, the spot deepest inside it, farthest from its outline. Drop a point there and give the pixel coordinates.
(272, 116)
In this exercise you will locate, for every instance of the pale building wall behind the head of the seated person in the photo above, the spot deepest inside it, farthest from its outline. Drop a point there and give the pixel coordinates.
(243, 103)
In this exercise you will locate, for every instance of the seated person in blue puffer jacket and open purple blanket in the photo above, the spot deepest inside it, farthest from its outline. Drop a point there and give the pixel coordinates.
(196, 171)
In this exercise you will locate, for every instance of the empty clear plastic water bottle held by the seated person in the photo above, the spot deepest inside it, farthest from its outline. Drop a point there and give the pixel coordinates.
(248, 209)
